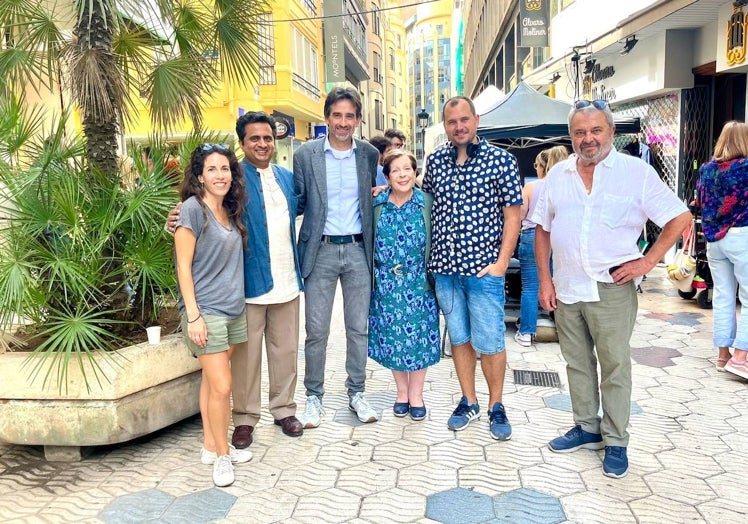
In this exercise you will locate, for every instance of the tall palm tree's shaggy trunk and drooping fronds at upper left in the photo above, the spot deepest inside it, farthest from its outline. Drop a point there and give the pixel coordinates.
(170, 52)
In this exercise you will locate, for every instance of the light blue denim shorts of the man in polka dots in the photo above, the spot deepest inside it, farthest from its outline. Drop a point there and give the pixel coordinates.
(474, 310)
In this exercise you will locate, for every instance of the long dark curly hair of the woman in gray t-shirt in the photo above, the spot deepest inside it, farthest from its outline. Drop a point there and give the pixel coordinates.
(235, 200)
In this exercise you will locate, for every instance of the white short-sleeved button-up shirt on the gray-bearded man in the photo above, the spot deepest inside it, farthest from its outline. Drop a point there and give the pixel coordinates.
(590, 233)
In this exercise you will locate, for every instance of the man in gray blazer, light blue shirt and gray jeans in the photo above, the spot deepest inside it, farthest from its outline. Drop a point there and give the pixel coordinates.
(333, 177)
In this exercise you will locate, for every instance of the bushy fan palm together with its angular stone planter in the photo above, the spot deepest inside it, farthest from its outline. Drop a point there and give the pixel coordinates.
(84, 264)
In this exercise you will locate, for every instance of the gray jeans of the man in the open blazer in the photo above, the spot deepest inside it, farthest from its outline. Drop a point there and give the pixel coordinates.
(346, 262)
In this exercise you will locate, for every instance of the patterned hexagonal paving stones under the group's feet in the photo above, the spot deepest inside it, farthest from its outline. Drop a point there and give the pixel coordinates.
(689, 433)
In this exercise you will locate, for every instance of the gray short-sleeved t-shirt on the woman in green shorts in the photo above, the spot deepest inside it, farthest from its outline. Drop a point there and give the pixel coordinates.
(217, 265)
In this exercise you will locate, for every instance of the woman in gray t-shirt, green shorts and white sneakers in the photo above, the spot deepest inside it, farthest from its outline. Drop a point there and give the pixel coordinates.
(209, 240)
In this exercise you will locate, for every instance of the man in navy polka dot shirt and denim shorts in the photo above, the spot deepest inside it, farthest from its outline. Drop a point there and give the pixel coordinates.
(475, 226)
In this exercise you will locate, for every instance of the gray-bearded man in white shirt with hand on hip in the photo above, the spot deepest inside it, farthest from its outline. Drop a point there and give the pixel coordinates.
(591, 210)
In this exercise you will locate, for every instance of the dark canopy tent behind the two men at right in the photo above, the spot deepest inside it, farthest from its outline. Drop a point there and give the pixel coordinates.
(526, 118)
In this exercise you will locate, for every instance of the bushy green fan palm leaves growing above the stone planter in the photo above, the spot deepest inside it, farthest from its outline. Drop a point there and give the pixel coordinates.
(83, 257)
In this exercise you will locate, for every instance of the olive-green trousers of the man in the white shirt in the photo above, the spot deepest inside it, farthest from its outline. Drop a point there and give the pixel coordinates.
(592, 332)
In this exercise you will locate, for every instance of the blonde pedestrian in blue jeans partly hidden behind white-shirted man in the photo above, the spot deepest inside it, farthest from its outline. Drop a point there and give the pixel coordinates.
(528, 311)
